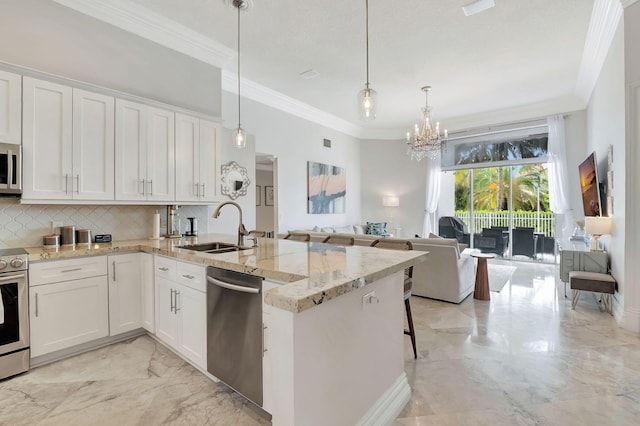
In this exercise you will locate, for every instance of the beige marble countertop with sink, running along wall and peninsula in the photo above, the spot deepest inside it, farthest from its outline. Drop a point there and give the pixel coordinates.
(311, 273)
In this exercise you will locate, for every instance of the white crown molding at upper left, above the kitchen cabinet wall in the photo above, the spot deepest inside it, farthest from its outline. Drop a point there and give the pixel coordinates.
(143, 22)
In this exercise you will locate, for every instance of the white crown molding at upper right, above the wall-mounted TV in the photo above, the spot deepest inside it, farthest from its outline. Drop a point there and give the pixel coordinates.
(605, 18)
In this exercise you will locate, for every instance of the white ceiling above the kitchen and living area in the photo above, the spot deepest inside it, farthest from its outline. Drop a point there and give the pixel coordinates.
(511, 57)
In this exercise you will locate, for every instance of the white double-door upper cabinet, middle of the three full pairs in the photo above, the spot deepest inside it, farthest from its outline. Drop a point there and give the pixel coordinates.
(145, 144)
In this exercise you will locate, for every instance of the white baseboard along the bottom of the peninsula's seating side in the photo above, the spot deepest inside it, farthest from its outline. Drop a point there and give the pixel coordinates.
(390, 404)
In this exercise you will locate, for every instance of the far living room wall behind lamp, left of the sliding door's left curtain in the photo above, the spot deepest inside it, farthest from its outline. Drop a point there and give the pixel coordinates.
(388, 170)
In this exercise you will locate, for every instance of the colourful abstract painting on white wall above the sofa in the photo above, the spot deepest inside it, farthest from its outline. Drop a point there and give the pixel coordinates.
(327, 189)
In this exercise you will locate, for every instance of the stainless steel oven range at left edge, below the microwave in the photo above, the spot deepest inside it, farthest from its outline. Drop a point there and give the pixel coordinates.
(14, 313)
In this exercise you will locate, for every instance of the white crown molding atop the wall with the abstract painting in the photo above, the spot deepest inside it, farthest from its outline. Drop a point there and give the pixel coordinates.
(264, 95)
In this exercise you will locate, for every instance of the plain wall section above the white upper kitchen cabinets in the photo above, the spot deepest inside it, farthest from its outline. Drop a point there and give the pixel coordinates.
(48, 37)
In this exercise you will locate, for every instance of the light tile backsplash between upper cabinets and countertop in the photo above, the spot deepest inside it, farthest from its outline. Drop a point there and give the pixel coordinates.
(23, 225)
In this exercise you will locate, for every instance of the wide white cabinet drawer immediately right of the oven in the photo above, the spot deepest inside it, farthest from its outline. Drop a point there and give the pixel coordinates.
(66, 270)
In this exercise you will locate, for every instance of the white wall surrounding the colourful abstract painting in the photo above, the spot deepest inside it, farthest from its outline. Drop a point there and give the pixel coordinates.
(295, 141)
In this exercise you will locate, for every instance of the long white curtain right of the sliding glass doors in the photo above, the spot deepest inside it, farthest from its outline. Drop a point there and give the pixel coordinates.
(557, 173)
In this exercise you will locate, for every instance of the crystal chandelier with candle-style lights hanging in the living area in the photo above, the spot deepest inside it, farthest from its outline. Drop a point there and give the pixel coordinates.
(427, 140)
